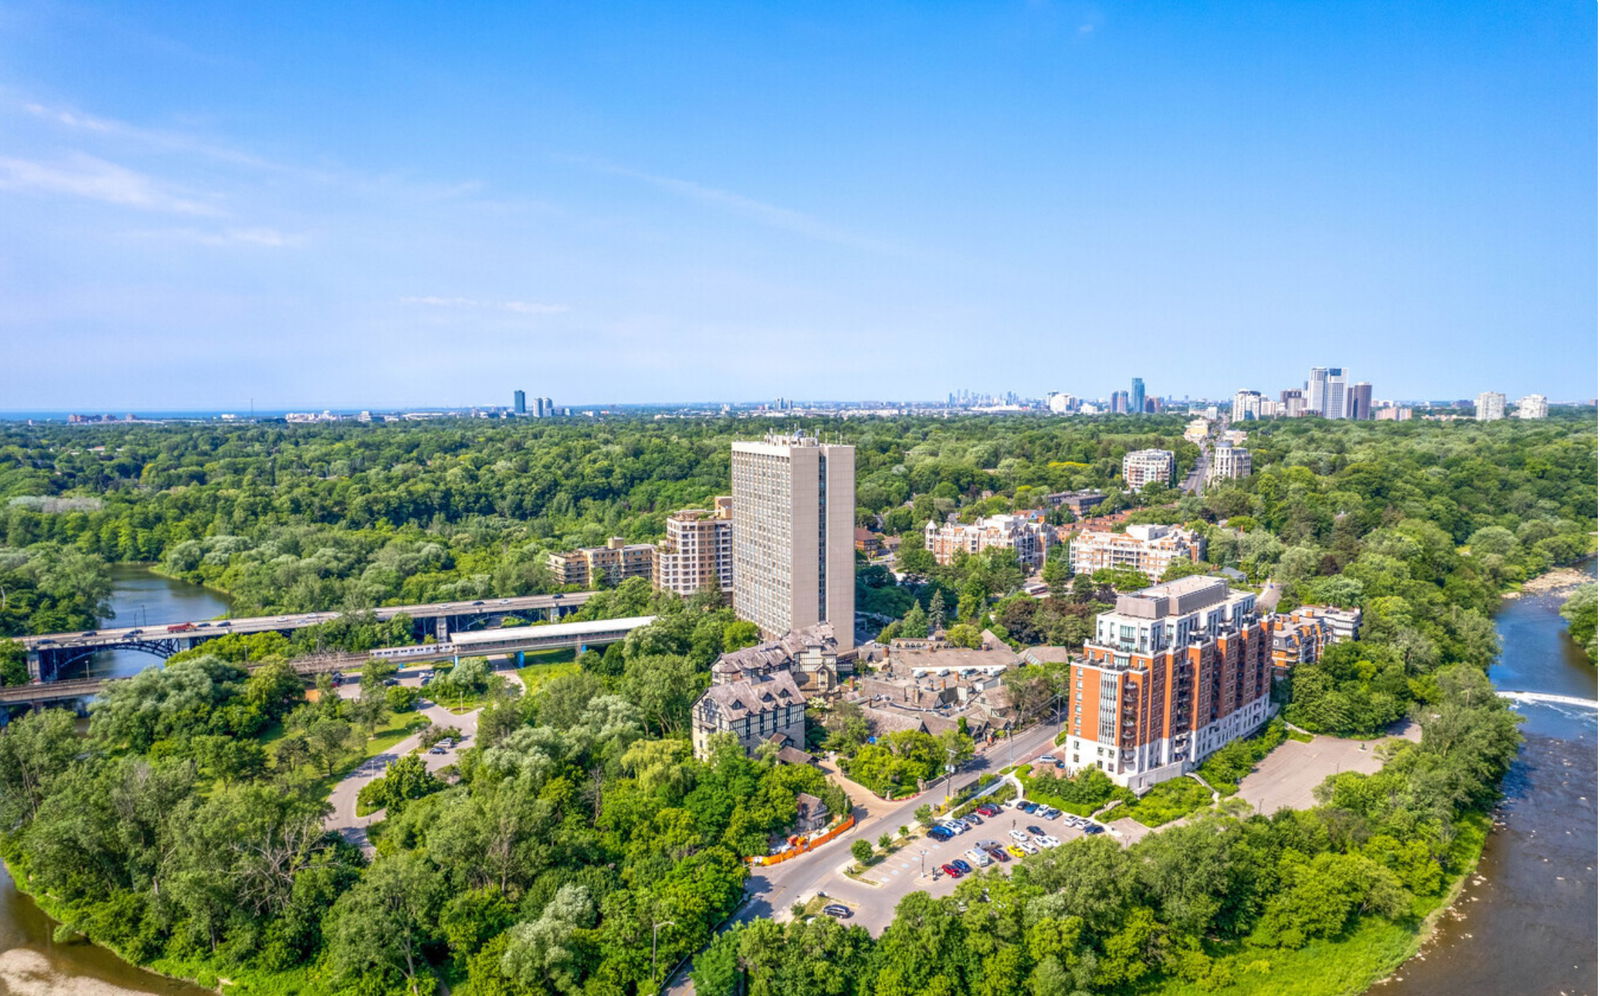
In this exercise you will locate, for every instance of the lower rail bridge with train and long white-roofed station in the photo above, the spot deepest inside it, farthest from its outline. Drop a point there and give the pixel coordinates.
(513, 641)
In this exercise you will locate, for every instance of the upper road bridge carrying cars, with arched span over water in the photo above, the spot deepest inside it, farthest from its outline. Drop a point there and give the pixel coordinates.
(52, 656)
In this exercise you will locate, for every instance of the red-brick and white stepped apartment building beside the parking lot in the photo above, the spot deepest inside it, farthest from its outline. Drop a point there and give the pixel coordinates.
(1174, 673)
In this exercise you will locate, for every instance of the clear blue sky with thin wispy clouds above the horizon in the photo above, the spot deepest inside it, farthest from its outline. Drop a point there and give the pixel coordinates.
(388, 204)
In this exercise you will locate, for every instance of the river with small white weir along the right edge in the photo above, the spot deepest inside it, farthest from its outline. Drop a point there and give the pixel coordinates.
(1526, 923)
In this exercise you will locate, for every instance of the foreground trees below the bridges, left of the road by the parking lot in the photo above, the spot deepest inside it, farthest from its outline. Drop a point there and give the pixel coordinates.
(186, 830)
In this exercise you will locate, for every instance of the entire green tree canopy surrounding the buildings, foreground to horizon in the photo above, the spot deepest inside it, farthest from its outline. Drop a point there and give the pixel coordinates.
(580, 829)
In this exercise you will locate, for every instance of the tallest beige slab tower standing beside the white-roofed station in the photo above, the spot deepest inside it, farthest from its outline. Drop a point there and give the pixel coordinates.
(794, 520)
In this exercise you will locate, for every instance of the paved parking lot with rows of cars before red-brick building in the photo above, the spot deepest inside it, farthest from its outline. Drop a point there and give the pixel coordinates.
(874, 894)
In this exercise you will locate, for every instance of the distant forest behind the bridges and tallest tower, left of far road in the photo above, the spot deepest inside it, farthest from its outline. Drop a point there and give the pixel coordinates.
(350, 516)
